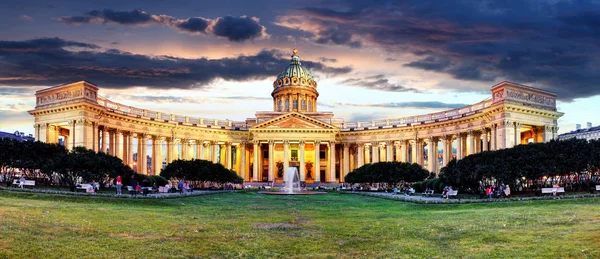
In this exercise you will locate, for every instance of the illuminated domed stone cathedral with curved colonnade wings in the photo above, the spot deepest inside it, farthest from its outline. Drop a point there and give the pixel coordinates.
(294, 134)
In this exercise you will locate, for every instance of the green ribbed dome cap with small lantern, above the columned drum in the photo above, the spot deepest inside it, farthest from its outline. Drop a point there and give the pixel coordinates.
(294, 74)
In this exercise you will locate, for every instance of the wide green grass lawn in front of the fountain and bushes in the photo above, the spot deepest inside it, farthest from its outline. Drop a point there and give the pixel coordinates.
(250, 225)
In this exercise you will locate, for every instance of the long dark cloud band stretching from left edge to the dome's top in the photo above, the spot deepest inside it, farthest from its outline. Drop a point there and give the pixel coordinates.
(49, 61)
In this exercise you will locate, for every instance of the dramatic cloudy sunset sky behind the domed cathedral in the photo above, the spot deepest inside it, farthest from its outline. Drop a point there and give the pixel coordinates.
(371, 59)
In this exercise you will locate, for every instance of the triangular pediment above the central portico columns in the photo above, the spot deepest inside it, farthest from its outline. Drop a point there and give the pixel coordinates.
(293, 120)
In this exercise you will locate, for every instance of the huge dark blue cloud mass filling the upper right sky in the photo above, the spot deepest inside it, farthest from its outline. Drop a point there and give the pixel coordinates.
(546, 44)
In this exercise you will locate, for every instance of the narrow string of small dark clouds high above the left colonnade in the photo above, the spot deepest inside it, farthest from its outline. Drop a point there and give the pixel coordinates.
(235, 29)
